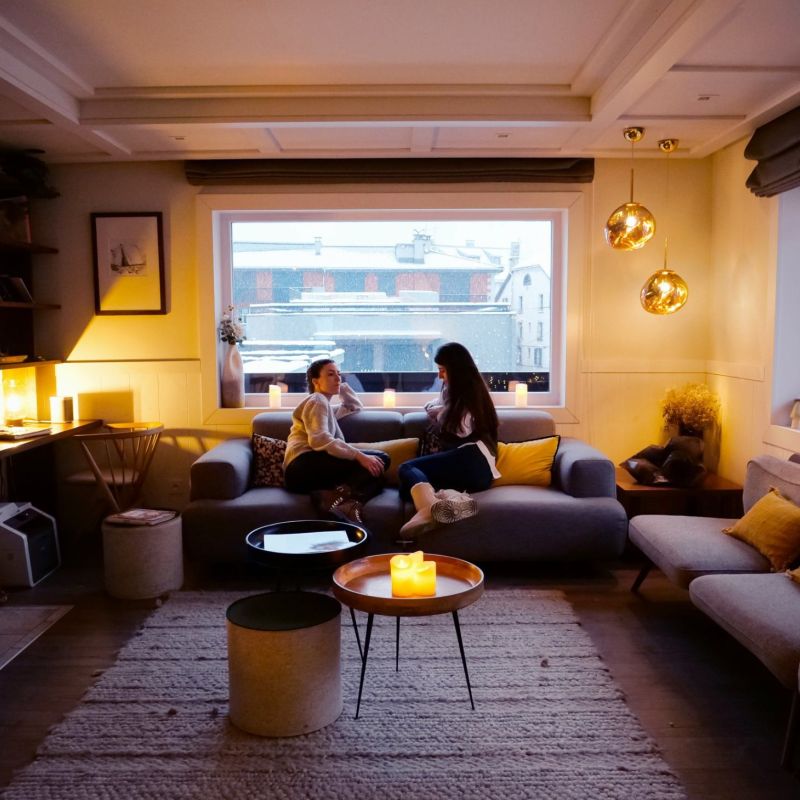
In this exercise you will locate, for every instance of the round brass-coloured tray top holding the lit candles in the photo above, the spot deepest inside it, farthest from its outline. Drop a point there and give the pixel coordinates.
(366, 585)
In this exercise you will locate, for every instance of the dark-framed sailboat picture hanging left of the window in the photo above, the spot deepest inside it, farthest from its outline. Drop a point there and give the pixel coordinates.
(128, 263)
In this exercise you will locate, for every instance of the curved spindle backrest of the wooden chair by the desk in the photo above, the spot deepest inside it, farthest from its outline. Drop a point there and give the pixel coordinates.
(119, 459)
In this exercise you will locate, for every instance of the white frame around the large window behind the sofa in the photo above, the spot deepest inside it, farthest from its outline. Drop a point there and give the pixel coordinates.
(566, 209)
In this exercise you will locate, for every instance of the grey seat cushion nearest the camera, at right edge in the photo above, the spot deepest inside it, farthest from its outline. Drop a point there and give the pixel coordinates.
(760, 611)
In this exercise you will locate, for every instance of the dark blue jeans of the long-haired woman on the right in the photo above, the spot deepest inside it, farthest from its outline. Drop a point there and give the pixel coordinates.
(464, 468)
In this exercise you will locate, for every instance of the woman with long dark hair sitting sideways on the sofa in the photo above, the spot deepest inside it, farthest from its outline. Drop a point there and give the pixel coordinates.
(466, 421)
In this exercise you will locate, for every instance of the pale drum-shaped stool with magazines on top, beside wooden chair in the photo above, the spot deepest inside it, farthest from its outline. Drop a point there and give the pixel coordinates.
(143, 561)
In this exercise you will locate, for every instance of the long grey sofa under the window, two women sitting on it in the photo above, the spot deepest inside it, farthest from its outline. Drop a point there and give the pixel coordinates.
(578, 517)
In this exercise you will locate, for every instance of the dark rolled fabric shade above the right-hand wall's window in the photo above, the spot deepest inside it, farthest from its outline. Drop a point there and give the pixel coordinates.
(776, 147)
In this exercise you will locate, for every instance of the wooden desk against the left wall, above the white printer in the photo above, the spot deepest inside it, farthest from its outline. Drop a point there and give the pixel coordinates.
(27, 467)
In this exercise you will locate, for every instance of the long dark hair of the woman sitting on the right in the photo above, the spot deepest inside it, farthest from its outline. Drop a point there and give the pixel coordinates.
(466, 393)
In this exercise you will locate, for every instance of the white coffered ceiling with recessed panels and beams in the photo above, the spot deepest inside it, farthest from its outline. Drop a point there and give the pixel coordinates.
(105, 80)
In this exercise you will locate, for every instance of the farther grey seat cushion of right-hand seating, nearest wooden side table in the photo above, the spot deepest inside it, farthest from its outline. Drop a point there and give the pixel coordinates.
(684, 548)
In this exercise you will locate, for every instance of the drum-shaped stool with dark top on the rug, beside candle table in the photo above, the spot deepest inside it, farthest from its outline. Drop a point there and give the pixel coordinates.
(283, 662)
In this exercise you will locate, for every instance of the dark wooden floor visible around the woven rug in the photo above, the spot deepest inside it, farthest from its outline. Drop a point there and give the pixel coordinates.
(715, 712)
